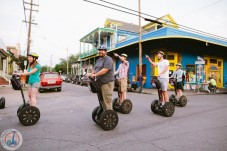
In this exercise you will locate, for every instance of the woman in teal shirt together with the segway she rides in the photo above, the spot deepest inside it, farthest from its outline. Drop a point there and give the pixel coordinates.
(28, 113)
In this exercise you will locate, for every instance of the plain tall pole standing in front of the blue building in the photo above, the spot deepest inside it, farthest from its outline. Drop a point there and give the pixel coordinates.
(140, 44)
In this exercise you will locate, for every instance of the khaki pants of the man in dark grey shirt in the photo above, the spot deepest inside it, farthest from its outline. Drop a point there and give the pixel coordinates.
(107, 93)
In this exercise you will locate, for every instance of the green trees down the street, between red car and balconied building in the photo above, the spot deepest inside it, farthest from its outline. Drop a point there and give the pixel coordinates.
(62, 66)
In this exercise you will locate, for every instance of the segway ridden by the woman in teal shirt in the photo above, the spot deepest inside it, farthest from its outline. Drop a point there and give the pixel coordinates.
(28, 115)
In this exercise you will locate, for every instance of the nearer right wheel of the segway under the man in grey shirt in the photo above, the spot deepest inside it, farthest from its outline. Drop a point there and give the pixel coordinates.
(108, 120)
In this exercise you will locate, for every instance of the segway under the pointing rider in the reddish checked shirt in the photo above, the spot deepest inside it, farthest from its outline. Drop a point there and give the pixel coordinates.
(126, 105)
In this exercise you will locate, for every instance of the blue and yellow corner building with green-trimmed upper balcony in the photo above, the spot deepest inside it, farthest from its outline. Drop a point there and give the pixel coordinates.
(179, 45)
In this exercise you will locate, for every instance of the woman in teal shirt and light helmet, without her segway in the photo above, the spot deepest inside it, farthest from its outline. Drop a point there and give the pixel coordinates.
(34, 79)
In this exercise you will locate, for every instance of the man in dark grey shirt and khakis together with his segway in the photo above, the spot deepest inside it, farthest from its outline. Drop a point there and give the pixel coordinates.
(104, 115)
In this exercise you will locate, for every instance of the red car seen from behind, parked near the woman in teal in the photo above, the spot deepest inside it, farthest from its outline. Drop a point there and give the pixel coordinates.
(50, 80)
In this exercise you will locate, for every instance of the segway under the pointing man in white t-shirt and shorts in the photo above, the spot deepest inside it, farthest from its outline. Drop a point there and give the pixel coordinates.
(168, 108)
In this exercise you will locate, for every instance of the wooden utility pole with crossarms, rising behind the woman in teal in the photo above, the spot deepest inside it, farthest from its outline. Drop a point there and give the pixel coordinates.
(30, 23)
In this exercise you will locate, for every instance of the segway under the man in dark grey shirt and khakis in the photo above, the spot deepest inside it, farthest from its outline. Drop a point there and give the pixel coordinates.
(108, 119)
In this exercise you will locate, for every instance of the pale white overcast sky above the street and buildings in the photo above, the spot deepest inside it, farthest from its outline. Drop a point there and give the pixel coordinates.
(61, 24)
